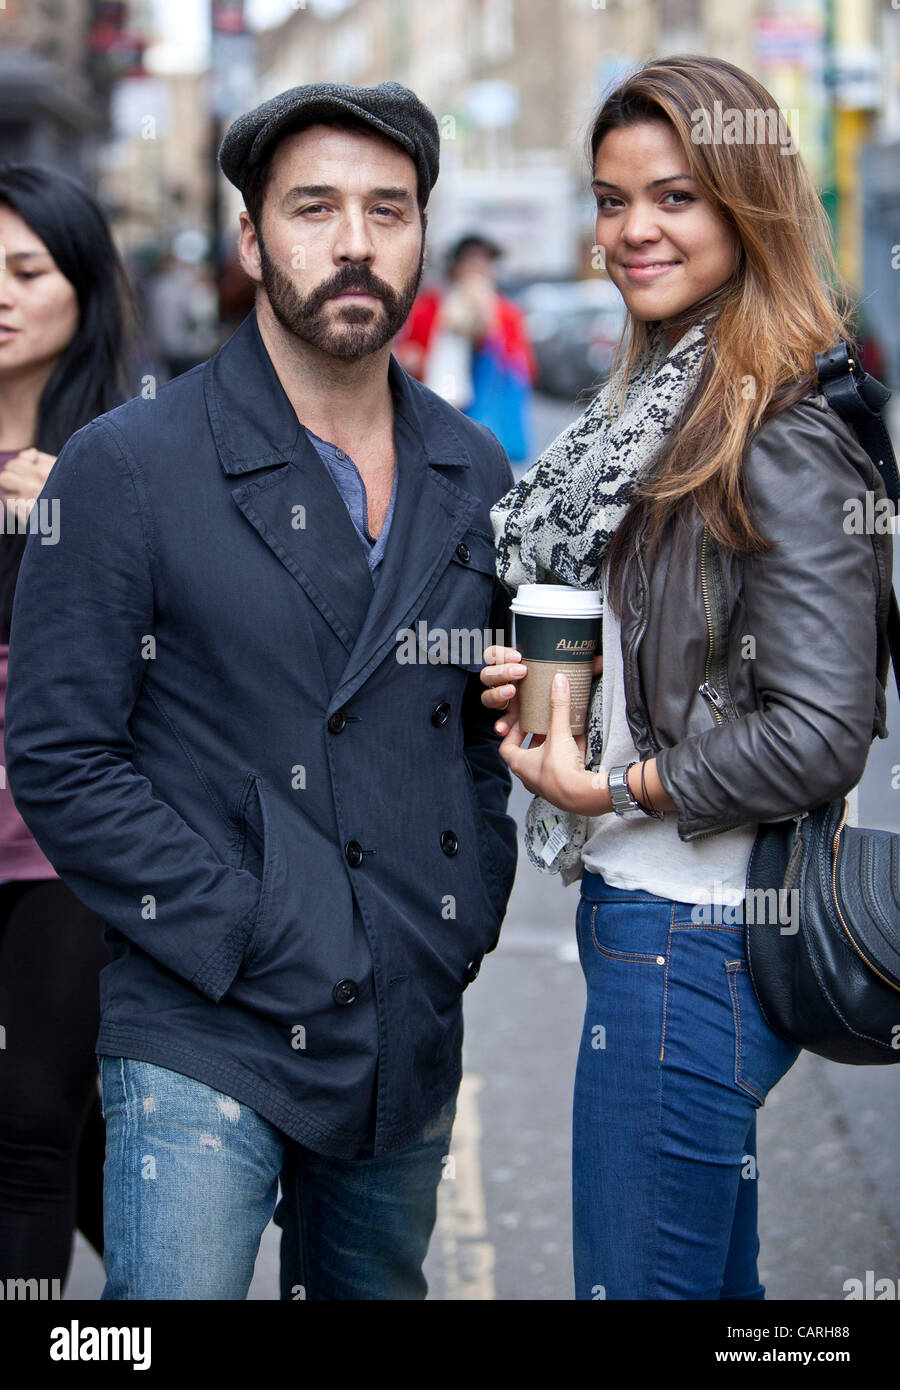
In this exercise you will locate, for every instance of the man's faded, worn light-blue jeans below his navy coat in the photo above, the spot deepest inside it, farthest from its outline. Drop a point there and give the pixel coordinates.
(191, 1182)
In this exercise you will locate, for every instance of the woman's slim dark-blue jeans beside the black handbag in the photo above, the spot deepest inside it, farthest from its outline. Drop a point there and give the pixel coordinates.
(674, 1064)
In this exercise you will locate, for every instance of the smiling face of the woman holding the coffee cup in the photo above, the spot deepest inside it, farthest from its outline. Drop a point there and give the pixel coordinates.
(666, 245)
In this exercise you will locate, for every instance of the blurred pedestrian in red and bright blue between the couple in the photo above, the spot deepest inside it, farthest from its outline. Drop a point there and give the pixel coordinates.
(469, 343)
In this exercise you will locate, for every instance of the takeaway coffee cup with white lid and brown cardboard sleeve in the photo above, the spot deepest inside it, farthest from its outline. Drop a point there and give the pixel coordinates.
(556, 629)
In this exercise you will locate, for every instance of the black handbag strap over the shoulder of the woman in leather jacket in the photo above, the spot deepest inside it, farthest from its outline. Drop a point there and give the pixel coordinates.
(860, 400)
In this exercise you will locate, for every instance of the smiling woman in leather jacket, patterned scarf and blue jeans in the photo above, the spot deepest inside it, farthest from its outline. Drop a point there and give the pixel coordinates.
(744, 657)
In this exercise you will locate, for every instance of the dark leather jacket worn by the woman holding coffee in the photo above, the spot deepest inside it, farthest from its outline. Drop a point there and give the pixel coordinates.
(759, 682)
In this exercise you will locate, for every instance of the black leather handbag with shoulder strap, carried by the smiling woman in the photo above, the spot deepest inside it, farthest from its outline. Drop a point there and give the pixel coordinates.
(823, 907)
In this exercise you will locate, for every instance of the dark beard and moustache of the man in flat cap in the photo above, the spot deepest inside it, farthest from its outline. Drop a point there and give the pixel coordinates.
(357, 330)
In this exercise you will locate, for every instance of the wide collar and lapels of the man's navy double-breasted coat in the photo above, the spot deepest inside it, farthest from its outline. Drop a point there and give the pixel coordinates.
(298, 512)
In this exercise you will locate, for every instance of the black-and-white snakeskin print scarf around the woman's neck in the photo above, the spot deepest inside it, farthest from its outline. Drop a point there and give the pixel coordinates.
(556, 525)
